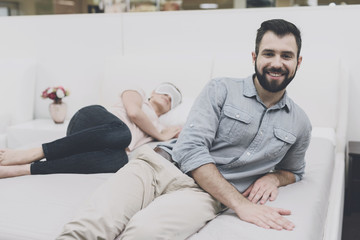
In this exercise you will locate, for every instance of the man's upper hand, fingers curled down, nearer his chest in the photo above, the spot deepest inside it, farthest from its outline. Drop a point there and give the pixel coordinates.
(263, 189)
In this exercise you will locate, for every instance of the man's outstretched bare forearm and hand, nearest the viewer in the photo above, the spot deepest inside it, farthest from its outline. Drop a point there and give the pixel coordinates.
(210, 179)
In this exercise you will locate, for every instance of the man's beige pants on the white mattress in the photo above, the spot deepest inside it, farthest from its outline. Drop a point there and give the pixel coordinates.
(149, 198)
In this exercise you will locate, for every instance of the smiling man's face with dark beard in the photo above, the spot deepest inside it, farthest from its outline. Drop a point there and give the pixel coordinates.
(276, 62)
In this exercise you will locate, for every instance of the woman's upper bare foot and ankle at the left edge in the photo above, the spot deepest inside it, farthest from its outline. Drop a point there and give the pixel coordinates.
(18, 157)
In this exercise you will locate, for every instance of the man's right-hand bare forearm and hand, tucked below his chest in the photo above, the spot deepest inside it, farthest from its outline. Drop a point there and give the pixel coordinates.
(266, 187)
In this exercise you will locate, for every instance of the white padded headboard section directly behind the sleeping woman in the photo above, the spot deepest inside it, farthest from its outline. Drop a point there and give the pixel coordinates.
(188, 72)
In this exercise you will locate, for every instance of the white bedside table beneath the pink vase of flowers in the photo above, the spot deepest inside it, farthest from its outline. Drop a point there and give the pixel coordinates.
(34, 133)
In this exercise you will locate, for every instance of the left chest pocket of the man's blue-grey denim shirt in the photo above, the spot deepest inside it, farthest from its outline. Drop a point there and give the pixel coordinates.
(233, 124)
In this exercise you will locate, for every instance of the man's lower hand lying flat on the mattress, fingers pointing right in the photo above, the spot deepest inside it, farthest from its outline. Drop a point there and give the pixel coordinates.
(265, 216)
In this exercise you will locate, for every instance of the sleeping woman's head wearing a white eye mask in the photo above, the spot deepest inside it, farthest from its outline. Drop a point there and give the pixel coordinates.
(166, 96)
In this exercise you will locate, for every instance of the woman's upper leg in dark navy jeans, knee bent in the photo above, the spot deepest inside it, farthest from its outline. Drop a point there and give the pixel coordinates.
(91, 129)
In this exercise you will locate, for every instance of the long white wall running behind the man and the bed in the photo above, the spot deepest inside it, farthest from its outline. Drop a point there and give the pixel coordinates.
(73, 48)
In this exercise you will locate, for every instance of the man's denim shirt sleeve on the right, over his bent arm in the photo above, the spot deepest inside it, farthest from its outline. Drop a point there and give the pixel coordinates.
(294, 160)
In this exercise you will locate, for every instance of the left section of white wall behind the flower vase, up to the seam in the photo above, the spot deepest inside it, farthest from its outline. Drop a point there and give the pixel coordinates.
(70, 50)
